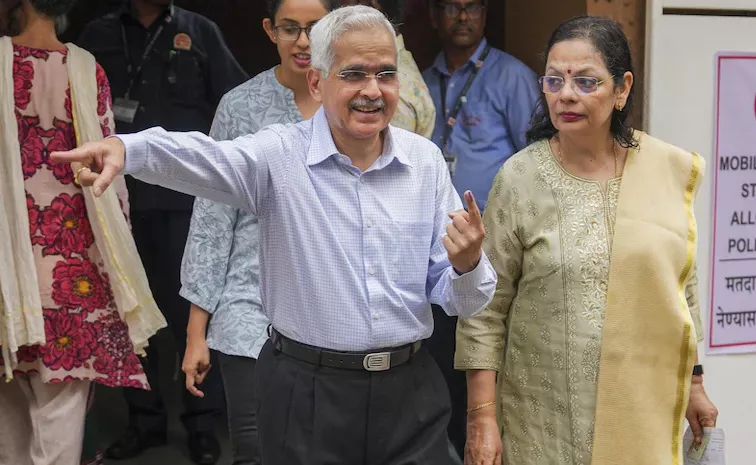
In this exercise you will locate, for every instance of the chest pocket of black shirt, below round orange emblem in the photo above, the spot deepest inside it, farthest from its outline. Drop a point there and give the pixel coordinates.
(184, 75)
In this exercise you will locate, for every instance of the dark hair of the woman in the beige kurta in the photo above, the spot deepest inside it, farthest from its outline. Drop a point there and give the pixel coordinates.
(607, 38)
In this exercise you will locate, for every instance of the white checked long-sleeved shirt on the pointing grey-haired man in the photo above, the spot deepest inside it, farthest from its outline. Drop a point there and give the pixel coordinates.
(350, 260)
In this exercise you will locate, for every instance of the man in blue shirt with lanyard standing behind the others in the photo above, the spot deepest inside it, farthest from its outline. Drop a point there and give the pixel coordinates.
(484, 100)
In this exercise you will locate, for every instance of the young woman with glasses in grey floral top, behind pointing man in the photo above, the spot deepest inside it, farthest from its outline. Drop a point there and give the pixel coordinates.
(220, 273)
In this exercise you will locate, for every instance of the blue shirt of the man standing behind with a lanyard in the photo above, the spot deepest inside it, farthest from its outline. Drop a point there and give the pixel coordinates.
(491, 125)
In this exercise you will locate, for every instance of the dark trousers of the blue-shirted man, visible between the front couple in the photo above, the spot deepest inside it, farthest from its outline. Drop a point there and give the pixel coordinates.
(442, 345)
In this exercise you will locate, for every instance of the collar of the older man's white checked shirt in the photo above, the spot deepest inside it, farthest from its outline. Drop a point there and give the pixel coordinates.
(323, 146)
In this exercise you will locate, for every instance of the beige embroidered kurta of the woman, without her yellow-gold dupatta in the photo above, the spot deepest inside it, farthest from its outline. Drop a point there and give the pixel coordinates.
(549, 236)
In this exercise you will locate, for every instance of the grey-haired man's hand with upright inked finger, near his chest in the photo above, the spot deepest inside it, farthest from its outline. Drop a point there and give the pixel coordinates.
(464, 236)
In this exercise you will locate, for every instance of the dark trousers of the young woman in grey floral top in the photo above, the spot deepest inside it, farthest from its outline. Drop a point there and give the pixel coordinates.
(241, 405)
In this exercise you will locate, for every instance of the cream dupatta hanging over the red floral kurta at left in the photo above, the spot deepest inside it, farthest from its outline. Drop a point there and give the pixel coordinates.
(20, 305)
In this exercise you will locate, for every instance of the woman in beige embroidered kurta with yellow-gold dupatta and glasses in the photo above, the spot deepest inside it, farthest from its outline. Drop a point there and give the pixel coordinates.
(587, 353)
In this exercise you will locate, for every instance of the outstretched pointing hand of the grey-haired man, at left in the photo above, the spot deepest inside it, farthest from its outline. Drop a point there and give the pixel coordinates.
(99, 162)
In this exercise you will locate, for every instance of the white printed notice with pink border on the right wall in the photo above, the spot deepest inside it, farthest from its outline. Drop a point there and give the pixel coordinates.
(732, 322)
